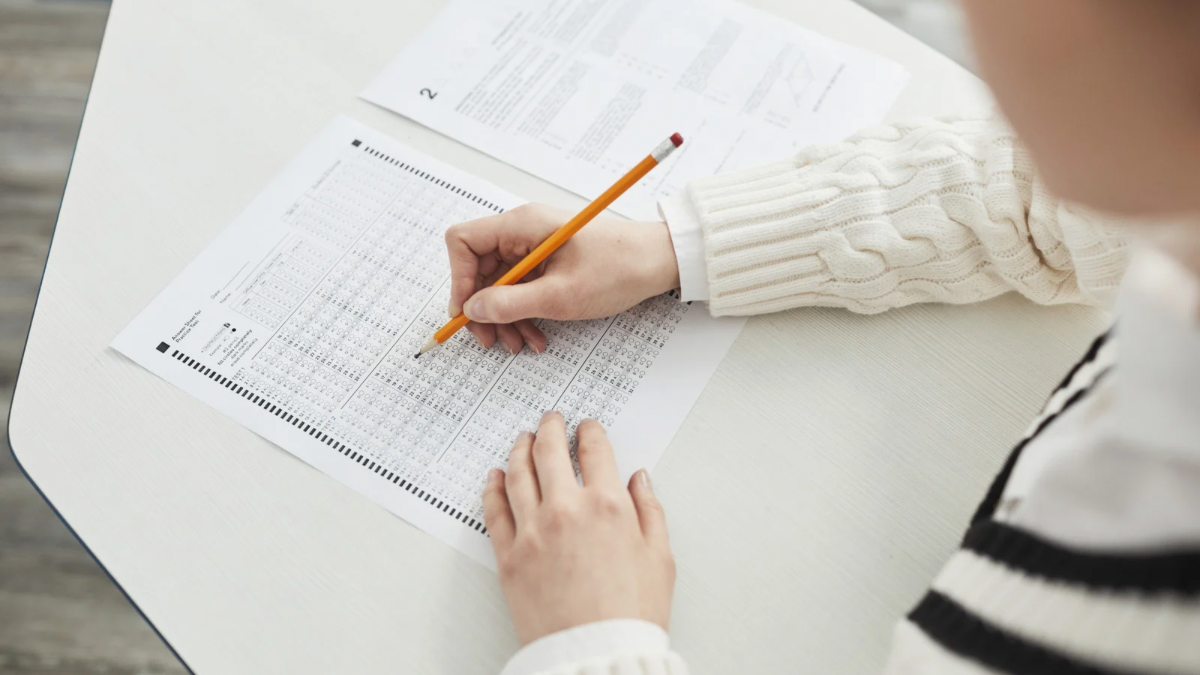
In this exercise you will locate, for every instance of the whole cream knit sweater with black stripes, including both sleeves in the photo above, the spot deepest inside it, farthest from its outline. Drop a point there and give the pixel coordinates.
(1084, 557)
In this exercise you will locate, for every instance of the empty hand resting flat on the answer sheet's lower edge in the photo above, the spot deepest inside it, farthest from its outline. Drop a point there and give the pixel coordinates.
(571, 555)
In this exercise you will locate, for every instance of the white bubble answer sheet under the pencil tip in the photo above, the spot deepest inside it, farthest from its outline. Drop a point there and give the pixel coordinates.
(302, 321)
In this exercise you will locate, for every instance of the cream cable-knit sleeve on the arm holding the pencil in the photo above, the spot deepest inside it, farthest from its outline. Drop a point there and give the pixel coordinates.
(934, 211)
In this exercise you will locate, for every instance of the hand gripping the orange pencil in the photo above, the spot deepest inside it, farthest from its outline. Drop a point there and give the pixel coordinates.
(607, 268)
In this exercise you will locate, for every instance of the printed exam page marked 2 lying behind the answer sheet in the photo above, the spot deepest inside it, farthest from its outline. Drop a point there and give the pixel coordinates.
(574, 91)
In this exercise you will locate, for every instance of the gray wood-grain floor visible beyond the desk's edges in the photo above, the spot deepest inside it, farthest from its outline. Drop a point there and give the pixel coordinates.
(59, 613)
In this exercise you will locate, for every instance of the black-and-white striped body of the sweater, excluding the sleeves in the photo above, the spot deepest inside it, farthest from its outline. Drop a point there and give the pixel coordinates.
(1085, 554)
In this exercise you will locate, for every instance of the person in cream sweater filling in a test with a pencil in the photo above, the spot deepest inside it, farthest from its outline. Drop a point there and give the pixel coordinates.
(1084, 555)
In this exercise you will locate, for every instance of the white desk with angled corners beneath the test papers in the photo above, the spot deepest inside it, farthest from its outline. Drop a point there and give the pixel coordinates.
(813, 493)
